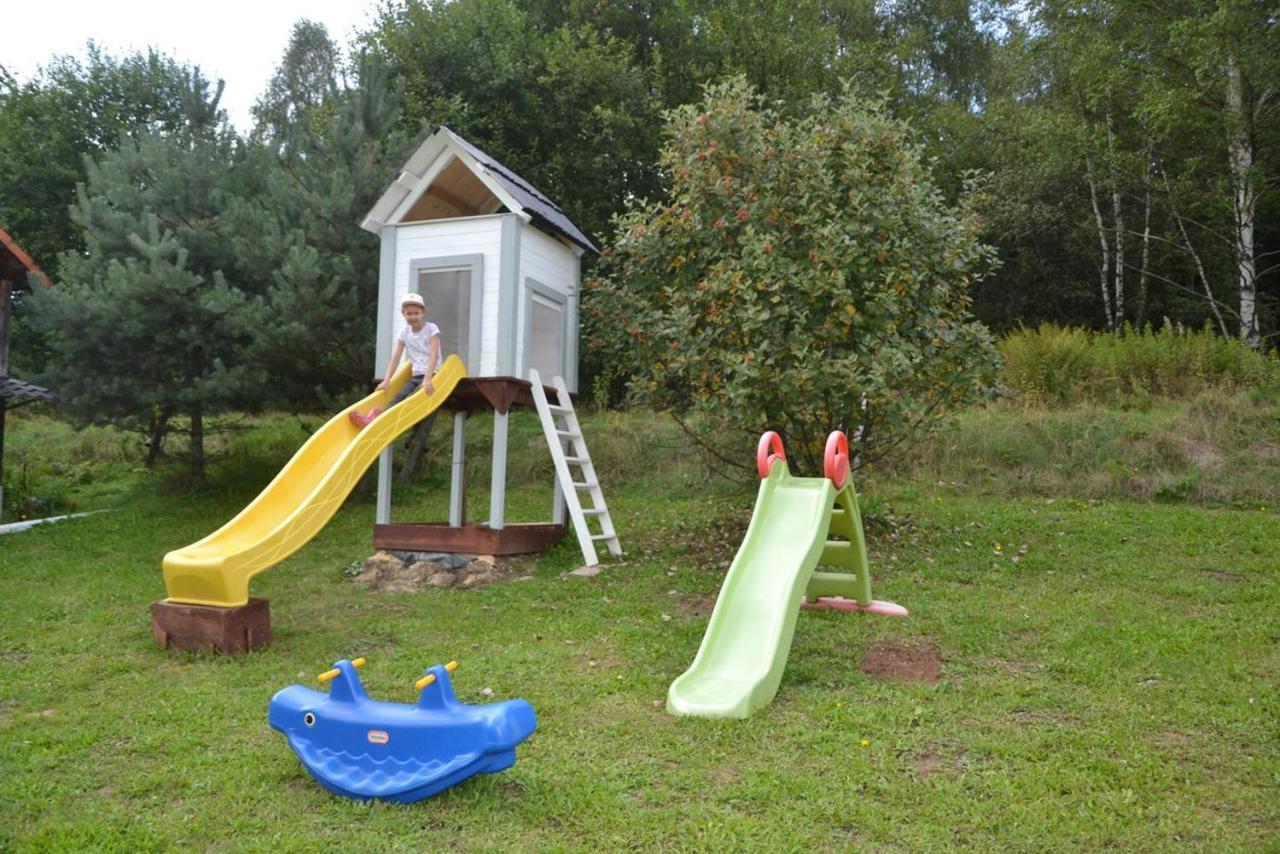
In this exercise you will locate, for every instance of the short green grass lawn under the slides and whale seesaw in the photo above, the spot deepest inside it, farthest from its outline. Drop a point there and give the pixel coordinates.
(1116, 686)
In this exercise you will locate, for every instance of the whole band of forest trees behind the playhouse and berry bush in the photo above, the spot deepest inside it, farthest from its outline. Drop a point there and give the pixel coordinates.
(1122, 157)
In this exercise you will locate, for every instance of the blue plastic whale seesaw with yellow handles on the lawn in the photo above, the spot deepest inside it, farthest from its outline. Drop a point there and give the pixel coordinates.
(362, 748)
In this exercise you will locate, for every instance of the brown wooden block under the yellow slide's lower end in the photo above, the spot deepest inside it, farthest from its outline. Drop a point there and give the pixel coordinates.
(198, 628)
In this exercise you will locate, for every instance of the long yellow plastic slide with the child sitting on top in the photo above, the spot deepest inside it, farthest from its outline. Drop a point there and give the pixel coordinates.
(299, 503)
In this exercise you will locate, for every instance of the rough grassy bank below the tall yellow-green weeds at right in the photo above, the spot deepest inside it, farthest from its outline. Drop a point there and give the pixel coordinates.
(1217, 449)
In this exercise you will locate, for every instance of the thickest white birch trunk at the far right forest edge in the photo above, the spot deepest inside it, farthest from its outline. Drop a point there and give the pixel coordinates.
(1245, 200)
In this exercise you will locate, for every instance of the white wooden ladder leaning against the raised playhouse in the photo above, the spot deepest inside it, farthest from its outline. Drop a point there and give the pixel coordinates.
(578, 456)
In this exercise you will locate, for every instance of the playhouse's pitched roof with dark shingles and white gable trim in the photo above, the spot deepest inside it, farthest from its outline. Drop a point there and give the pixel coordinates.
(515, 193)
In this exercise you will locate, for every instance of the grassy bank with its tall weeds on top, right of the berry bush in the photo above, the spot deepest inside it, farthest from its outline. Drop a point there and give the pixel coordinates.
(1156, 415)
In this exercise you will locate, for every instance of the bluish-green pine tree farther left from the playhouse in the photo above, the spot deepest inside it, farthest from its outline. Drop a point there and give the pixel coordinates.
(156, 325)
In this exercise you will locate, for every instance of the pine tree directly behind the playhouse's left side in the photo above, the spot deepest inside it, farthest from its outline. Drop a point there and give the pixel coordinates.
(326, 172)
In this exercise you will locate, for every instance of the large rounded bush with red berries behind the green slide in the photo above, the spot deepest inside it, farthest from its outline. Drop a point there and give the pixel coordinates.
(804, 275)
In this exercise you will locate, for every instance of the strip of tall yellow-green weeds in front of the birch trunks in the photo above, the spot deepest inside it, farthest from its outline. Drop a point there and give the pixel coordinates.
(1063, 366)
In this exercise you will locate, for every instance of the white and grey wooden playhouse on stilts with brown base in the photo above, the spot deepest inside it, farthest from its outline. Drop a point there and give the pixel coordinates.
(500, 267)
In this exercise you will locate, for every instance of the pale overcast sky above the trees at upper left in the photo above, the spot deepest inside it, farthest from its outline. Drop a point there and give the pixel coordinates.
(240, 42)
